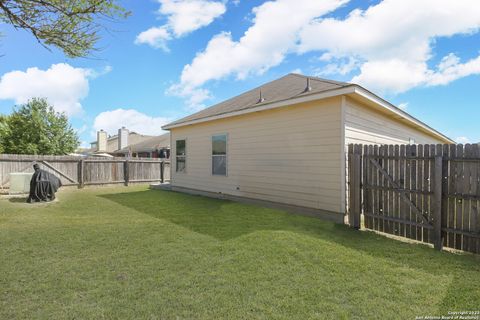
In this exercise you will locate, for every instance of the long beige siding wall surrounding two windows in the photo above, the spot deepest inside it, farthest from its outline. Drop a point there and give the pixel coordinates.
(289, 155)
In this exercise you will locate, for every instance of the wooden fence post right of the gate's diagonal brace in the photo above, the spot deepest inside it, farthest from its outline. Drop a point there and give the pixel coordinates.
(437, 203)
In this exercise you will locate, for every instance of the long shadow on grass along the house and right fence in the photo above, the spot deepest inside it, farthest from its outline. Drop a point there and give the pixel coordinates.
(226, 220)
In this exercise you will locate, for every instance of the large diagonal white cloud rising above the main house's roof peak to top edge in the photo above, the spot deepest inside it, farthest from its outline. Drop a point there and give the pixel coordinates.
(265, 44)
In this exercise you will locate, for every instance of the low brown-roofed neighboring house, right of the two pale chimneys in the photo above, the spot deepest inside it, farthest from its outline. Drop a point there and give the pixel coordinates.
(153, 147)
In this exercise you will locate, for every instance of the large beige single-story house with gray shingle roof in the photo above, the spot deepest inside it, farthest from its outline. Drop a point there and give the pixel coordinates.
(285, 142)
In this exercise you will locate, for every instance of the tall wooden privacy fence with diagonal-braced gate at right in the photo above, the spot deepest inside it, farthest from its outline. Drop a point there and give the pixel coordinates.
(429, 193)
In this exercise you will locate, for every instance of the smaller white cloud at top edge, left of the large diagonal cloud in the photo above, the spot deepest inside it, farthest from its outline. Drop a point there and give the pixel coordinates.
(183, 17)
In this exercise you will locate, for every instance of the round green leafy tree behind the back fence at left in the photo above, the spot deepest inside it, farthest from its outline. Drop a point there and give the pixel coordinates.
(35, 128)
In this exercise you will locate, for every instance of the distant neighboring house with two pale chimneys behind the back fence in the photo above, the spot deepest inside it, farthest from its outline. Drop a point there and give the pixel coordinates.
(127, 143)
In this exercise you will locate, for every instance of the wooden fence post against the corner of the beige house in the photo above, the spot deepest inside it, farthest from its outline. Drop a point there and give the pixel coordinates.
(355, 174)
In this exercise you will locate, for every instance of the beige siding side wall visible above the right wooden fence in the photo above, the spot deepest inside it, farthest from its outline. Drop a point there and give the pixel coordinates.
(366, 126)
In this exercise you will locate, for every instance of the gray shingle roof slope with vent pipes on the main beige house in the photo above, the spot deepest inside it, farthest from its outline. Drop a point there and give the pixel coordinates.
(290, 86)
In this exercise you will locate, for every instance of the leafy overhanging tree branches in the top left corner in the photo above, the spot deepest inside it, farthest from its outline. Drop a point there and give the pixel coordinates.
(70, 25)
